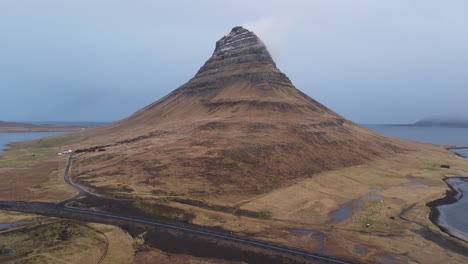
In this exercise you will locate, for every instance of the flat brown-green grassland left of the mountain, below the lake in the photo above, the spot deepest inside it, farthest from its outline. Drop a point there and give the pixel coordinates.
(31, 170)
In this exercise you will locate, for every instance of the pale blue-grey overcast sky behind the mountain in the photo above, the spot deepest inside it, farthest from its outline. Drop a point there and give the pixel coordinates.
(386, 61)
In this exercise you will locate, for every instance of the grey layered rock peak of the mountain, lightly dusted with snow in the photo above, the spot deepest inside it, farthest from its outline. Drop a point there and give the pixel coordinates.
(240, 46)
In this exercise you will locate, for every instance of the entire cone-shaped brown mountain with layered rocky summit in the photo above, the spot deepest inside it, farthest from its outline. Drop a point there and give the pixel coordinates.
(238, 127)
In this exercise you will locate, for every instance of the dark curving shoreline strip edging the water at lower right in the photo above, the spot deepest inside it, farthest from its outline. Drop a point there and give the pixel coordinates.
(451, 196)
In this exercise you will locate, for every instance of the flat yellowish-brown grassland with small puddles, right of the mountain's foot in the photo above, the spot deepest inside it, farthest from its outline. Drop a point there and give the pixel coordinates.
(393, 223)
